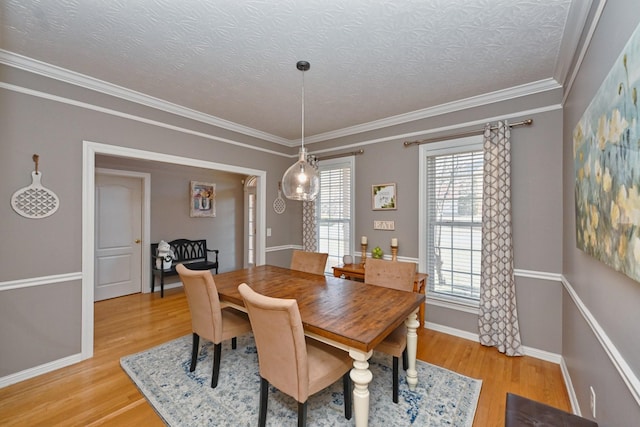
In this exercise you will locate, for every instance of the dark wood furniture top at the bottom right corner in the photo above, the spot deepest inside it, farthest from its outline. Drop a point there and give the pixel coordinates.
(522, 412)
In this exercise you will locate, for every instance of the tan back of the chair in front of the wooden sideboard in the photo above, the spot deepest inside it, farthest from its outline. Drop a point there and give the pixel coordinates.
(391, 274)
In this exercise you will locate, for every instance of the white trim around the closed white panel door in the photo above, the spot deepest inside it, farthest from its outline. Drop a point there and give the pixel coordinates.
(146, 220)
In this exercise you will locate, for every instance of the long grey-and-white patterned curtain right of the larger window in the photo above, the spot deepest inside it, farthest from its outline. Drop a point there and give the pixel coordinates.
(498, 319)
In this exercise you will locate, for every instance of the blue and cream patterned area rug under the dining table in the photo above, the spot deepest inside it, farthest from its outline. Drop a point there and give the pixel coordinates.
(183, 398)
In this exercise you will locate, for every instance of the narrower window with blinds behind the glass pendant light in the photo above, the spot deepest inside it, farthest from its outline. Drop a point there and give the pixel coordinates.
(334, 209)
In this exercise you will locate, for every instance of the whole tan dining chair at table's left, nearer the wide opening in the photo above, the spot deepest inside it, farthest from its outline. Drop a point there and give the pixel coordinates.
(208, 319)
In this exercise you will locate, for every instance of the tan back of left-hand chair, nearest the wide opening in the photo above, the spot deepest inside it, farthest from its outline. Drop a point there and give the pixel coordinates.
(204, 302)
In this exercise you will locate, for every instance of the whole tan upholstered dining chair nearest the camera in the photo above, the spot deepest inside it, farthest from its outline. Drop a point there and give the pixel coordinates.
(296, 365)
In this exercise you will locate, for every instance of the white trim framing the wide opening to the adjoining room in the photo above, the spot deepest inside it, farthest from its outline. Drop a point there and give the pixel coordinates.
(89, 152)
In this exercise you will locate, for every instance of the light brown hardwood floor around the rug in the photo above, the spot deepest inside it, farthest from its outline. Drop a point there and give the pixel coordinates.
(98, 392)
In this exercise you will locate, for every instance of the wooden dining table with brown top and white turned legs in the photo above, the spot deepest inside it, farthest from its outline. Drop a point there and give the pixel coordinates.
(353, 316)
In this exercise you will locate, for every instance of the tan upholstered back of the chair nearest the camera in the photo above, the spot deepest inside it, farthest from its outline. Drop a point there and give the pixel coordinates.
(279, 335)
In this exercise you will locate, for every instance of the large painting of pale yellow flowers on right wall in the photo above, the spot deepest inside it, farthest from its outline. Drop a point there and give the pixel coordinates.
(606, 153)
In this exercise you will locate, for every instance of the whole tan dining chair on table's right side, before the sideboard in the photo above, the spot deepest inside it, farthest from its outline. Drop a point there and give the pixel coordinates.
(396, 275)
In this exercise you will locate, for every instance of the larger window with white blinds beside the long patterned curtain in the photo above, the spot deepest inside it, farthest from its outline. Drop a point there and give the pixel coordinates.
(452, 211)
